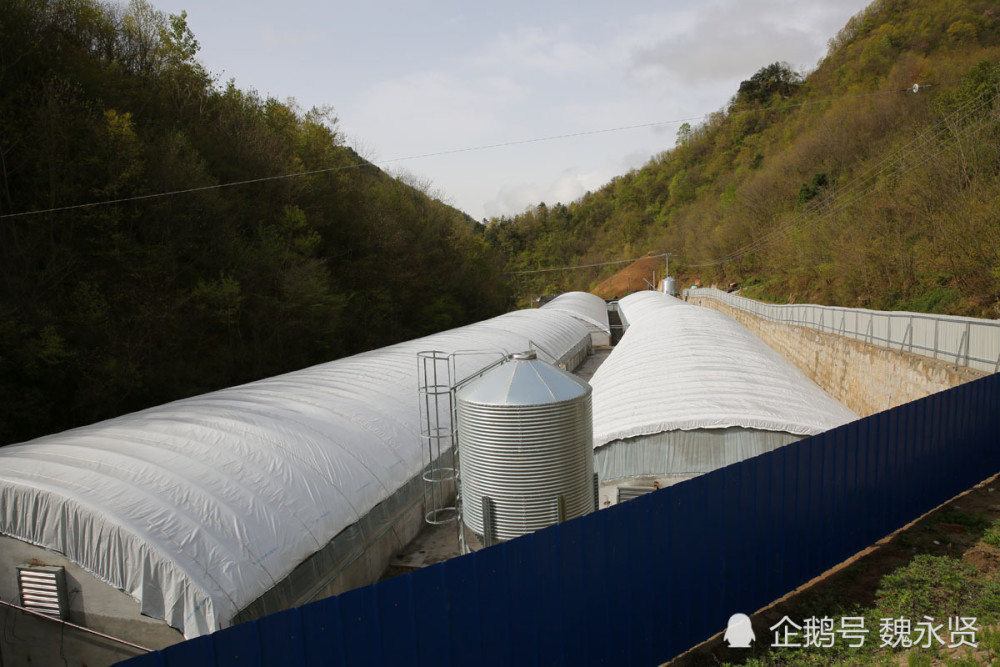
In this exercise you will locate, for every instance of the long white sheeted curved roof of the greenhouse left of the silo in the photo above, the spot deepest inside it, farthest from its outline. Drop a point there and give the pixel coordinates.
(197, 507)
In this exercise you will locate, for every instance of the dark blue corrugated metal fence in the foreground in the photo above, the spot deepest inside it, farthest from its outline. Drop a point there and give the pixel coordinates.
(641, 582)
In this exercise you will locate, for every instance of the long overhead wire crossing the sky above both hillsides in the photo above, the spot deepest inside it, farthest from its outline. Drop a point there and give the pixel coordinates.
(456, 151)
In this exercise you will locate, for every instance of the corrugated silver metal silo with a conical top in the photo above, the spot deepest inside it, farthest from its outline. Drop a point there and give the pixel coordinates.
(525, 439)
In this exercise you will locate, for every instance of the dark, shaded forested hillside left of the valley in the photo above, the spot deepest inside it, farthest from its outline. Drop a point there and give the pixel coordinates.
(107, 309)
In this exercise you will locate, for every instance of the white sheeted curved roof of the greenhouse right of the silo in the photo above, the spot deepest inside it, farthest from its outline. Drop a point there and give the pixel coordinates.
(681, 367)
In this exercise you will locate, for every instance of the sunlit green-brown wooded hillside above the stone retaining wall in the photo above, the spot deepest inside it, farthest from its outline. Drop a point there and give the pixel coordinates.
(842, 187)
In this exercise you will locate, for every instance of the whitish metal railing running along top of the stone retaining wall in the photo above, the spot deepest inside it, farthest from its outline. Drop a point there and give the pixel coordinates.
(966, 341)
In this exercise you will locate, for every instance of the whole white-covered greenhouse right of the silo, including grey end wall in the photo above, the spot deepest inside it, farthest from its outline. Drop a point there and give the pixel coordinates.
(688, 390)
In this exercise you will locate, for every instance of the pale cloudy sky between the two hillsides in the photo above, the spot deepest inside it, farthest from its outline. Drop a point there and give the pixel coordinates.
(465, 97)
